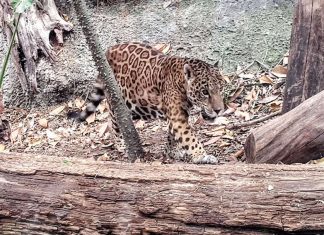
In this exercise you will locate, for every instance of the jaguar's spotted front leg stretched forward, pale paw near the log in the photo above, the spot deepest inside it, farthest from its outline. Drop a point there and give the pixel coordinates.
(185, 138)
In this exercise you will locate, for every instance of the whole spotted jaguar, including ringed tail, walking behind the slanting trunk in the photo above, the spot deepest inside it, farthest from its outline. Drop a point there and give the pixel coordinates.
(155, 85)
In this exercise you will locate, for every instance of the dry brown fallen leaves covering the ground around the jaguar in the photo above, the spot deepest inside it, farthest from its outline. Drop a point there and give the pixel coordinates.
(249, 95)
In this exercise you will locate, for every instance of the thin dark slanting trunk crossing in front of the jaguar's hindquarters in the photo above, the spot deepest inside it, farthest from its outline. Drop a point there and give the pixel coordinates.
(125, 123)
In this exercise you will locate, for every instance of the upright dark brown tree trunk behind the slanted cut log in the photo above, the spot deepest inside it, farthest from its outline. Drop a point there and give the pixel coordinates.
(306, 66)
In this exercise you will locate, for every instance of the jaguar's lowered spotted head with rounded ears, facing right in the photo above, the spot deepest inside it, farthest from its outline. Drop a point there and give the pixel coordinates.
(204, 84)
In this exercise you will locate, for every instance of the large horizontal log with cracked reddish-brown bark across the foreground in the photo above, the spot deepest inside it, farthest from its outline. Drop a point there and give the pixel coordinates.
(62, 195)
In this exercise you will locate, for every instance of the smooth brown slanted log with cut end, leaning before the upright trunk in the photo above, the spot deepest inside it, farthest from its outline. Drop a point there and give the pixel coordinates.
(294, 137)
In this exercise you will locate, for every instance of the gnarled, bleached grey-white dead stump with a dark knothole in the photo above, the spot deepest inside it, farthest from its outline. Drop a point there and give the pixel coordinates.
(34, 31)
